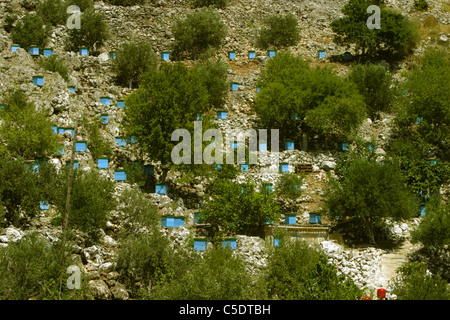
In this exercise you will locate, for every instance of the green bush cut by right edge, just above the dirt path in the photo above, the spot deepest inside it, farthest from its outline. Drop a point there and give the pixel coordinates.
(434, 227)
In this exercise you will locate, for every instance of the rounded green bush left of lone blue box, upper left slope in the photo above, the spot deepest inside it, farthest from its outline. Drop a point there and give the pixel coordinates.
(132, 61)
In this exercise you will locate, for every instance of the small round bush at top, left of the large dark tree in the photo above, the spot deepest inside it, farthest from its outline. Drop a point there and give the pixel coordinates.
(280, 31)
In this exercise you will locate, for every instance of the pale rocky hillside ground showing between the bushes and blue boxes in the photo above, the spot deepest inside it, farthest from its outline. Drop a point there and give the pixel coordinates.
(92, 78)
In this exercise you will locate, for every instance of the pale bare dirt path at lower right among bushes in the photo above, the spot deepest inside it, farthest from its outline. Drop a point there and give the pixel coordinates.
(391, 261)
